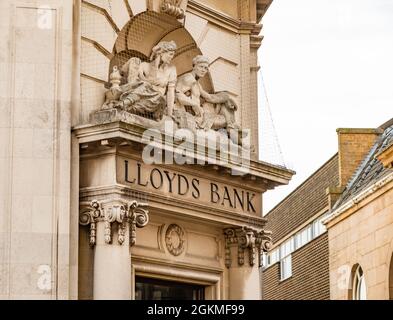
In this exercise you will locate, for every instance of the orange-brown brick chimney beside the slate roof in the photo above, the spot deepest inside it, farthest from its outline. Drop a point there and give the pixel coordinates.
(353, 146)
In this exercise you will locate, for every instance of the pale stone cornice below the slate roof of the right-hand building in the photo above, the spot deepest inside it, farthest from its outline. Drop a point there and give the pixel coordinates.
(359, 201)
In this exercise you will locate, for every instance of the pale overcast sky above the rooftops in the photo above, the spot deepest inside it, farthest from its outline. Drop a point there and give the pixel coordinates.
(326, 64)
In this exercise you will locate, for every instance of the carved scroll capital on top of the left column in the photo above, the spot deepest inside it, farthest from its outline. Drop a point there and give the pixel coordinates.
(126, 214)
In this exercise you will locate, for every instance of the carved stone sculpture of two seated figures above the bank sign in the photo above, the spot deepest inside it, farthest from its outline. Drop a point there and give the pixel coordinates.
(153, 89)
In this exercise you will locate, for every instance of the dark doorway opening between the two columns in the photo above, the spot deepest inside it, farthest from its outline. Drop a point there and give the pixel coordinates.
(153, 289)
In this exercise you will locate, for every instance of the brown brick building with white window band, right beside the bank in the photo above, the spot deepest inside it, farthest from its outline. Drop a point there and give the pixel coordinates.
(297, 266)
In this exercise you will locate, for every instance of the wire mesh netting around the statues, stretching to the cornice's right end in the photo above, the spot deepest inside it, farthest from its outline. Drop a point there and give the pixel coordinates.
(123, 33)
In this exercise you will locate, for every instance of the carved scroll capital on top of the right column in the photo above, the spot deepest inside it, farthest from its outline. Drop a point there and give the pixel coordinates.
(246, 239)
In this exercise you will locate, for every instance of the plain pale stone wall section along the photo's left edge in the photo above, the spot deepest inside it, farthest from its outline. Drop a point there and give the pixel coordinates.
(35, 91)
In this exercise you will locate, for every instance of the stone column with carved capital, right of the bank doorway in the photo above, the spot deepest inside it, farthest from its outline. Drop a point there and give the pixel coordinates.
(244, 276)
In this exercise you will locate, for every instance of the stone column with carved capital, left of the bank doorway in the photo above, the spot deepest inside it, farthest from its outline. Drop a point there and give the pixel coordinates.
(112, 233)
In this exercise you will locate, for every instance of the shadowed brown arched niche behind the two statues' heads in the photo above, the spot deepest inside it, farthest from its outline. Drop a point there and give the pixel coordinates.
(146, 30)
